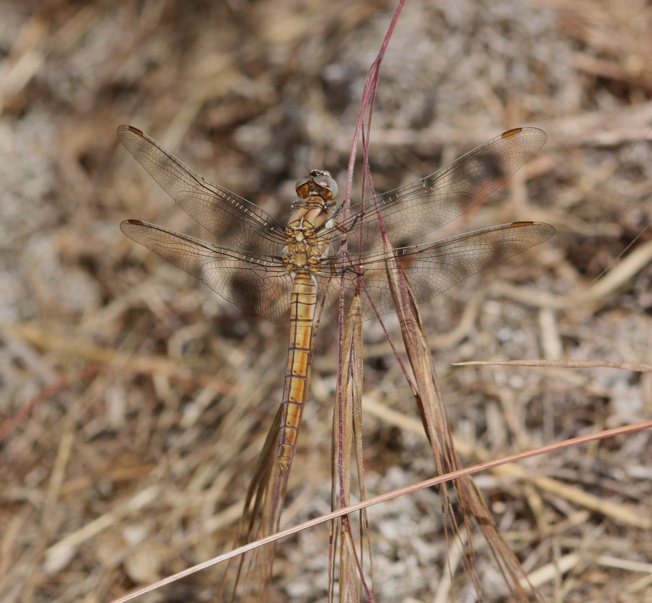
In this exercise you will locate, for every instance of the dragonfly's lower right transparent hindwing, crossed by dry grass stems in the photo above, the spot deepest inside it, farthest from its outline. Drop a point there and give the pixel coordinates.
(434, 267)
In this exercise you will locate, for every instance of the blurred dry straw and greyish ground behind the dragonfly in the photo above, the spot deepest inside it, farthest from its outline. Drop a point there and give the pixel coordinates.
(134, 401)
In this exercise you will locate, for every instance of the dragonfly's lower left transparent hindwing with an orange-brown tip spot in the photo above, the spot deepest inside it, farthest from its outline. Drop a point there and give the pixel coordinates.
(256, 284)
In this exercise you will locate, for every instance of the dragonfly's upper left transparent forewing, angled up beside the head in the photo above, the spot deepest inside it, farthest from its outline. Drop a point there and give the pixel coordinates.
(235, 221)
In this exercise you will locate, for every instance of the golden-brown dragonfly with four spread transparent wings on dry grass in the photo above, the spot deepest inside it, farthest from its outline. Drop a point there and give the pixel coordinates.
(283, 272)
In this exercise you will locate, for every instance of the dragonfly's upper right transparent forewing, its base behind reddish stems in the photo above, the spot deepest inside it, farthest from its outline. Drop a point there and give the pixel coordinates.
(428, 204)
